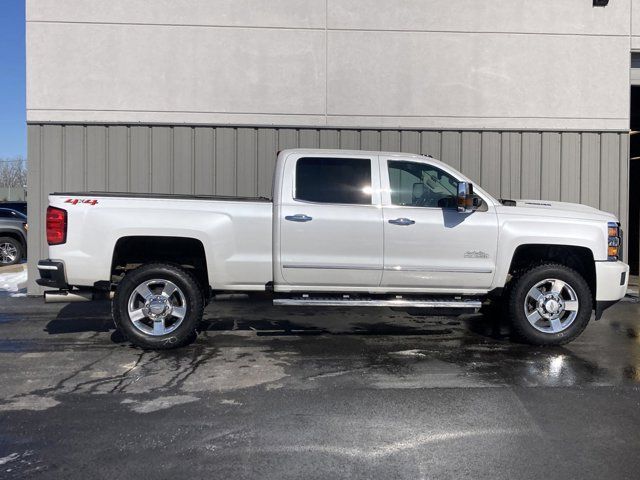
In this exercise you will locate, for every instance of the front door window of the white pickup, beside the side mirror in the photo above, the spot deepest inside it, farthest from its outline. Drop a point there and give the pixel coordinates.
(421, 185)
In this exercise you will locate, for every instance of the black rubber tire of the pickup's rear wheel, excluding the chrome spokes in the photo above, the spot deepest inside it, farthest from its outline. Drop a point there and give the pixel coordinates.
(189, 292)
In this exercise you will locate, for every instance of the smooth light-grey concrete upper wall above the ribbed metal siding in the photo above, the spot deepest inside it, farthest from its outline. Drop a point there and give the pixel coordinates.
(504, 64)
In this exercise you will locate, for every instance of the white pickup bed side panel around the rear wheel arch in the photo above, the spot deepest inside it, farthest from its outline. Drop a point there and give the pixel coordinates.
(236, 235)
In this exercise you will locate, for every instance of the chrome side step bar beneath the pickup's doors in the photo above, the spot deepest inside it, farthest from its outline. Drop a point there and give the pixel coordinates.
(469, 304)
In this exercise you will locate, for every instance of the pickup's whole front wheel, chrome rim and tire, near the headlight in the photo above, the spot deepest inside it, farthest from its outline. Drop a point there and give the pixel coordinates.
(549, 305)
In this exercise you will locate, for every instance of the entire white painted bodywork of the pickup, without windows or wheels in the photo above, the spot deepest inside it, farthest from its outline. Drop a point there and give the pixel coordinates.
(339, 247)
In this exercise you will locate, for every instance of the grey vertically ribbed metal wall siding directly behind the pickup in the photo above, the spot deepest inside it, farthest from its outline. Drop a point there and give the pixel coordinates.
(587, 167)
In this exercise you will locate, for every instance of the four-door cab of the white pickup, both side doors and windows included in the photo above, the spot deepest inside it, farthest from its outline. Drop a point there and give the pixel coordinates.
(379, 224)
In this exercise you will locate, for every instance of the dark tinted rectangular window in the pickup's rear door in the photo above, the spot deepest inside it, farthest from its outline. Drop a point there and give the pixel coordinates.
(334, 180)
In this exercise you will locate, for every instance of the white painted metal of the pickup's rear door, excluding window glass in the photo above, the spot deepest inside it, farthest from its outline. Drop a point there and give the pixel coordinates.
(340, 247)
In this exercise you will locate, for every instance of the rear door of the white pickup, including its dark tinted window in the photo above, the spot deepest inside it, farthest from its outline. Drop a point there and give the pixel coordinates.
(330, 221)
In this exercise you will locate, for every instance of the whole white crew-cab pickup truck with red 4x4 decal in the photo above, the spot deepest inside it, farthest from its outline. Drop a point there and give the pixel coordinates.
(345, 228)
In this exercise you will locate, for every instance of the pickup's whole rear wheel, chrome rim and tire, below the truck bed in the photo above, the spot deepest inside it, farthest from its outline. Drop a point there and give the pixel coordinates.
(158, 306)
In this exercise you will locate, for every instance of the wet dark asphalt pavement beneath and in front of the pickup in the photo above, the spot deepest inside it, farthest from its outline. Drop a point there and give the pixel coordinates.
(277, 393)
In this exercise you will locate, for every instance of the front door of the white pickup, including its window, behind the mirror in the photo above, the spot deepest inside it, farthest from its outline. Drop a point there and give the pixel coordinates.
(427, 242)
